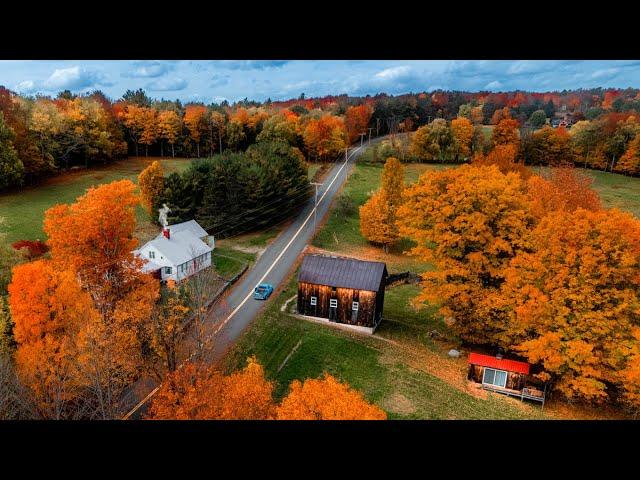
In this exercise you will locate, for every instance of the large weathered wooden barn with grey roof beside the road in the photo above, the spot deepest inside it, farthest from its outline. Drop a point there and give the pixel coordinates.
(342, 290)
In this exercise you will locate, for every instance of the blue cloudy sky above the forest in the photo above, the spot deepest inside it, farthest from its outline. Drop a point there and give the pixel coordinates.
(208, 81)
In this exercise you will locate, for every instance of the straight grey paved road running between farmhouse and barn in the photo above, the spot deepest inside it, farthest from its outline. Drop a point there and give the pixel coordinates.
(235, 314)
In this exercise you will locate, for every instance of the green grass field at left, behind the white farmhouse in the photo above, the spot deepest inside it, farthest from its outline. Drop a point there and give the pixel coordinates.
(23, 210)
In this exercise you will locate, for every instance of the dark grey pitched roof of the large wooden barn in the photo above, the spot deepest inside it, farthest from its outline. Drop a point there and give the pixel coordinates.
(342, 272)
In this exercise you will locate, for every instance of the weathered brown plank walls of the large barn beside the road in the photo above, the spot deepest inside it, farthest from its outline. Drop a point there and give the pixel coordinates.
(369, 308)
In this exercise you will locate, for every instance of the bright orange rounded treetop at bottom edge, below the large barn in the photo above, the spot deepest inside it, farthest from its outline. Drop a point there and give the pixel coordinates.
(326, 399)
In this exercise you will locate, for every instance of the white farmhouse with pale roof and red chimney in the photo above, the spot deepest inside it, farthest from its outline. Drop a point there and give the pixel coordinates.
(177, 252)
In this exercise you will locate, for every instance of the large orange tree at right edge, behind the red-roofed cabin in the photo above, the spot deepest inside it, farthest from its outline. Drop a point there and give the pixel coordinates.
(571, 303)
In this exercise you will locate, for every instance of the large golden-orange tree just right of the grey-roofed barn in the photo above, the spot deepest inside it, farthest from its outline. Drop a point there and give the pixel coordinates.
(470, 221)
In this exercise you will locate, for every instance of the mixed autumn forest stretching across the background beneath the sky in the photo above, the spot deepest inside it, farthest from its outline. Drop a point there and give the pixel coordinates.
(41, 136)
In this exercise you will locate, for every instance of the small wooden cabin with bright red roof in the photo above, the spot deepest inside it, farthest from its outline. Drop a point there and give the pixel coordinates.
(509, 377)
